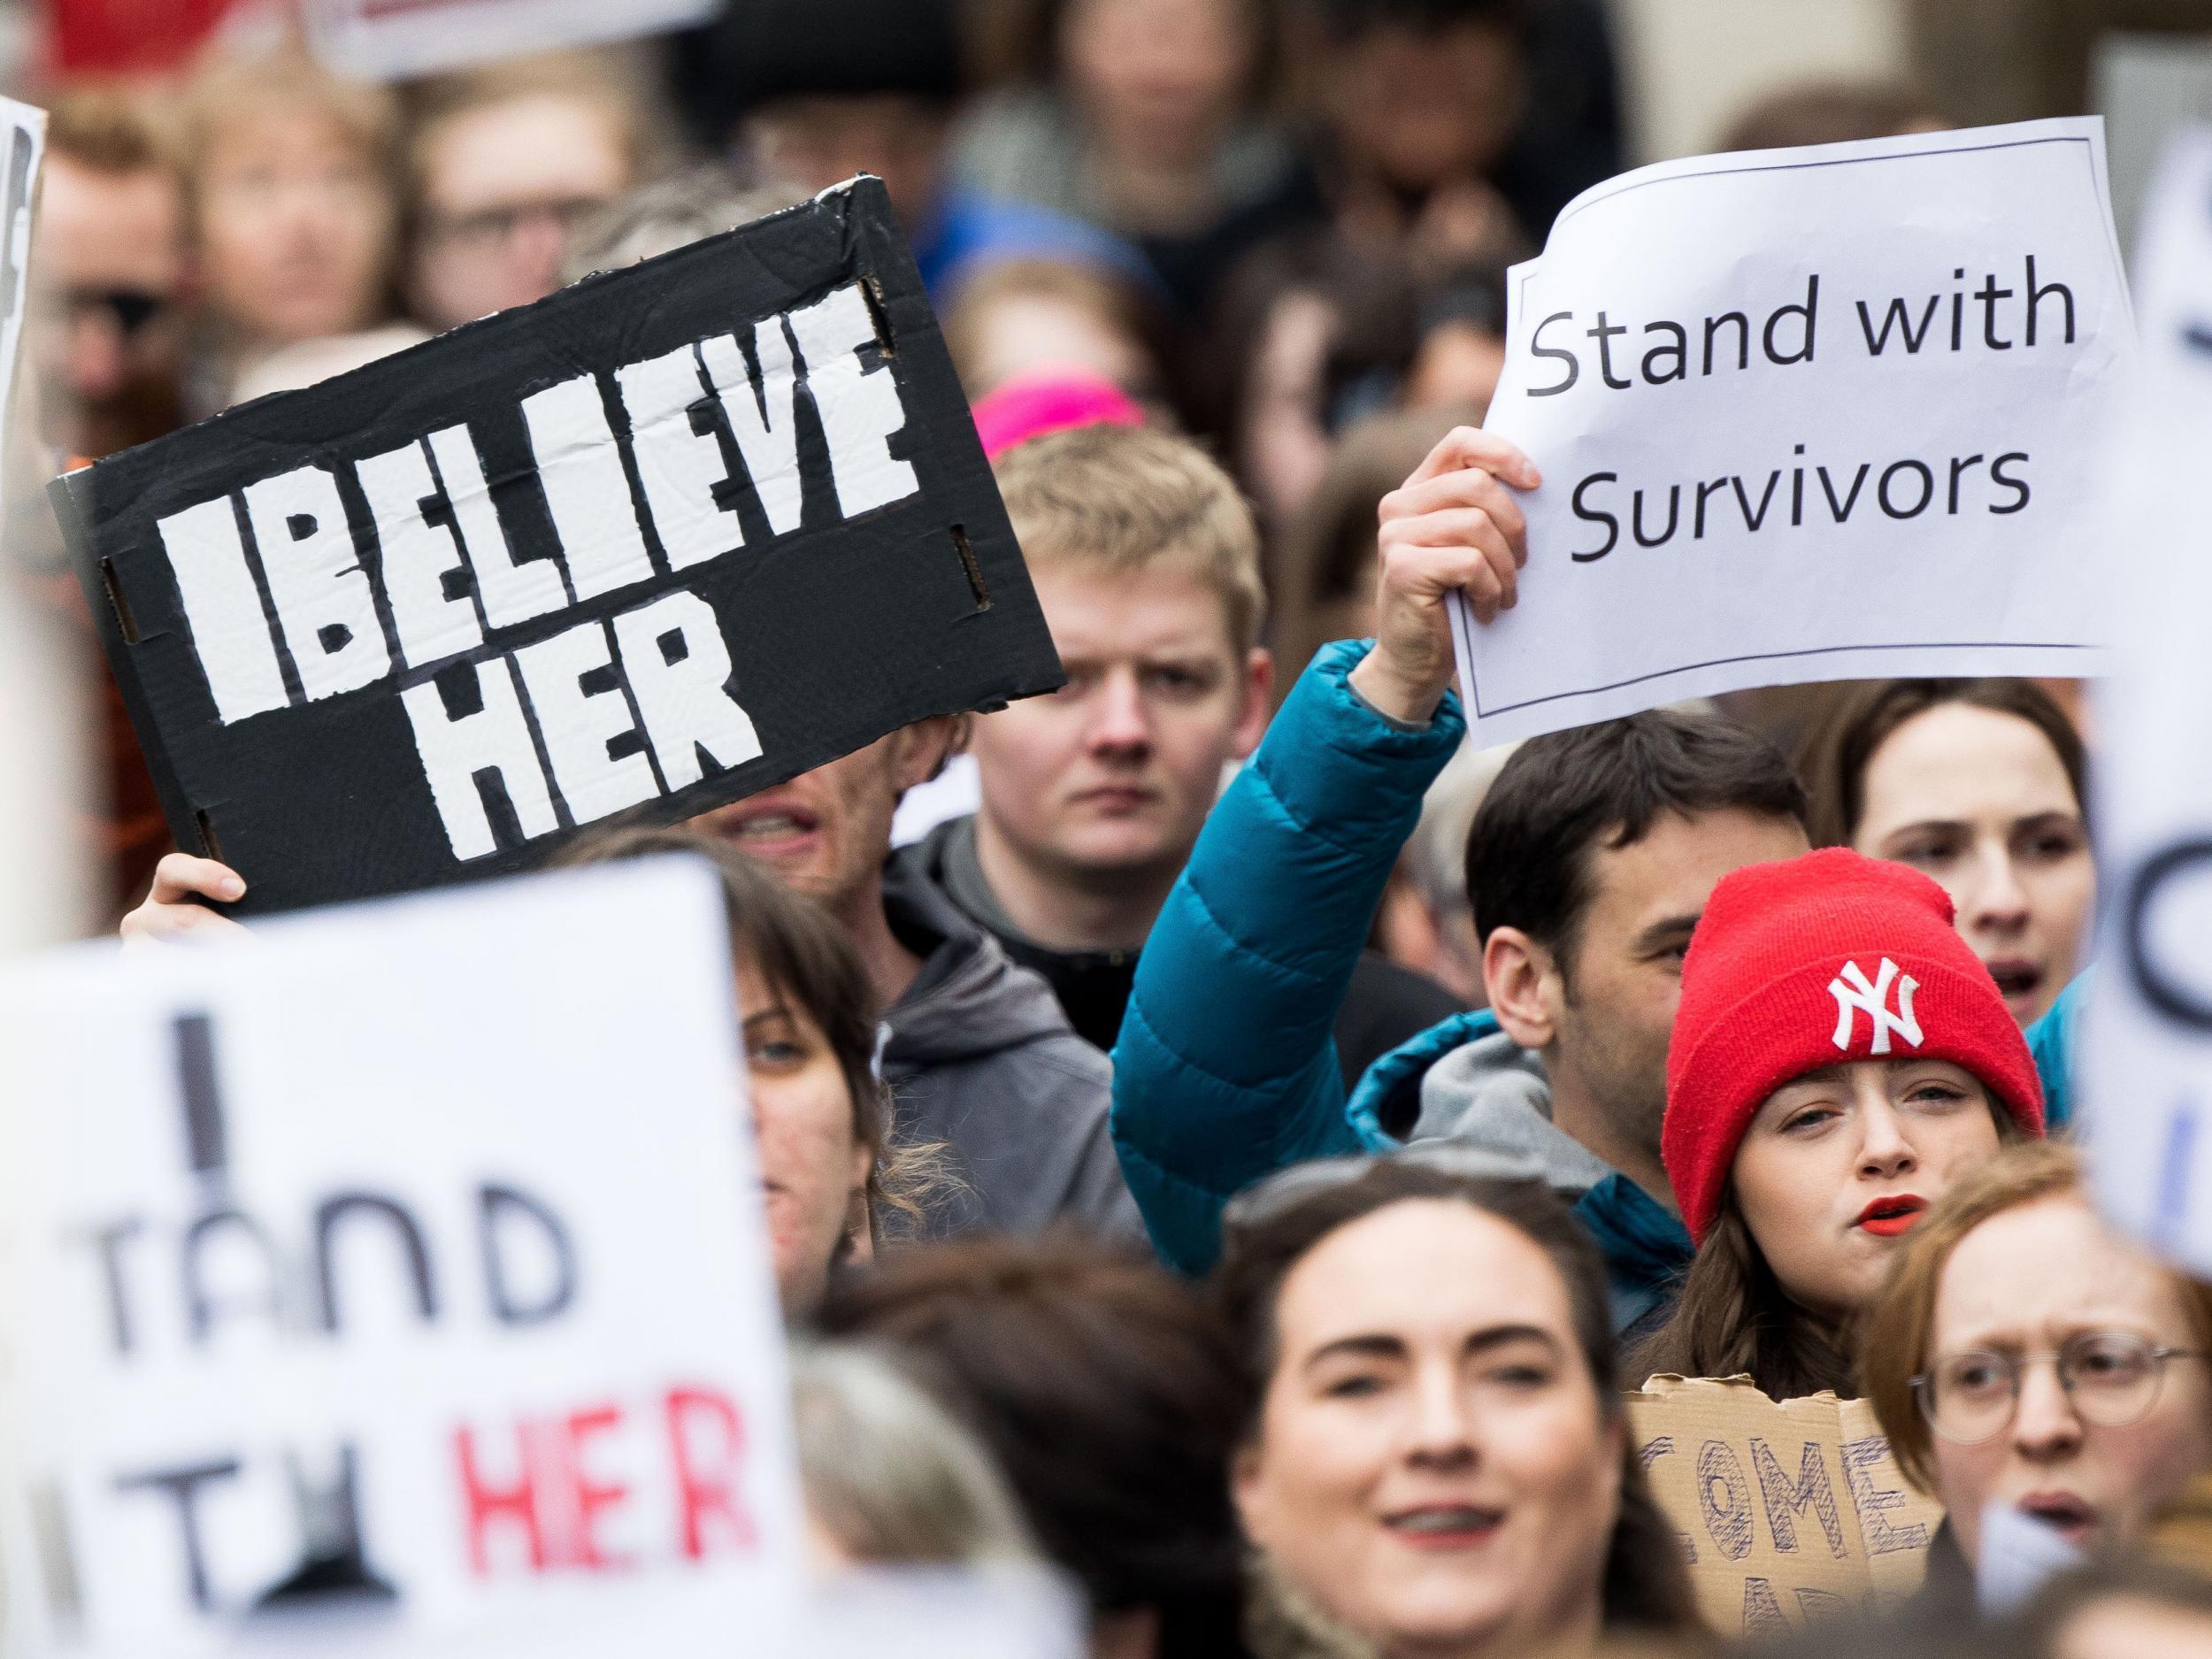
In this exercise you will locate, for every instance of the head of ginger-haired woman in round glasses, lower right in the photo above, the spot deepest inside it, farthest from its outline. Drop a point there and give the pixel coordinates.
(2025, 1355)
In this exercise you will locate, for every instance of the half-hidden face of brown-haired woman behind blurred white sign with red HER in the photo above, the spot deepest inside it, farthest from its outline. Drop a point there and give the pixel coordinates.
(813, 1165)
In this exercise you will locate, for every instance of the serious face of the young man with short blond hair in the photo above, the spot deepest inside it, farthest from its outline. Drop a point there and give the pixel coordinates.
(1120, 769)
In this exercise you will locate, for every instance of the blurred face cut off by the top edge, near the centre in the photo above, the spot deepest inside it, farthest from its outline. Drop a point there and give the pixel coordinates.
(1158, 76)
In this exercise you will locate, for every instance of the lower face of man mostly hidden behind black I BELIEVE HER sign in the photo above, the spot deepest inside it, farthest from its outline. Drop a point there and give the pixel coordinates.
(828, 831)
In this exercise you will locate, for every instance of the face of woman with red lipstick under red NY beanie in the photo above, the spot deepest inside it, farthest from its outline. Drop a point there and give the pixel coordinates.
(1844, 1162)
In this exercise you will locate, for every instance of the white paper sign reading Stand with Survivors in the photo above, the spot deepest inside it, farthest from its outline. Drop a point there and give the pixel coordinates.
(1808, 415)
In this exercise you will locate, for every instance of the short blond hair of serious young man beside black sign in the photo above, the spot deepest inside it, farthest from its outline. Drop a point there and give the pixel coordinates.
(1136, 499)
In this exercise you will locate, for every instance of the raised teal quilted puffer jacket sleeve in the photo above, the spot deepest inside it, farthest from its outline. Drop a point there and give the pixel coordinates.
(1227, 1065)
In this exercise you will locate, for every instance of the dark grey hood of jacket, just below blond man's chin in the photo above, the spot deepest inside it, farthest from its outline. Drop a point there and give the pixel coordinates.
(970, 999)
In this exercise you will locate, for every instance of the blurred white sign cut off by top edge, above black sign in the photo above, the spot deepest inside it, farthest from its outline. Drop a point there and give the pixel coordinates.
(395, 39)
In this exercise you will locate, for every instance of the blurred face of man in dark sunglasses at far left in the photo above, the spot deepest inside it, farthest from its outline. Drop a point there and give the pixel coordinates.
(107, 284)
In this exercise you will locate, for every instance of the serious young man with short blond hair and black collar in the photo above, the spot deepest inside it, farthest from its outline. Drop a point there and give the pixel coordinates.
(1147, 565)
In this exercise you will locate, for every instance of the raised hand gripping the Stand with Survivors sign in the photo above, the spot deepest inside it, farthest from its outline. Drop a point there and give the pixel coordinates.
(1450, 530)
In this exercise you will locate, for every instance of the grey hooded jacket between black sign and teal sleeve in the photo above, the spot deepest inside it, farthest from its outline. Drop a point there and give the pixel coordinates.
(981, 1061)
